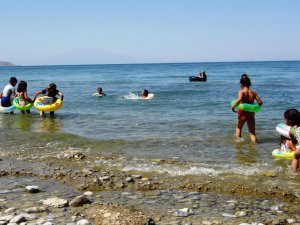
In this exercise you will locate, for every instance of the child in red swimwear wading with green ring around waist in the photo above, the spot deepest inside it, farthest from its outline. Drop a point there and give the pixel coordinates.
(246, 95)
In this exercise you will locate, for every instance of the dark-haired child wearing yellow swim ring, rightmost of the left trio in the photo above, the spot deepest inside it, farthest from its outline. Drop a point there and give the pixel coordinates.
(50, 96)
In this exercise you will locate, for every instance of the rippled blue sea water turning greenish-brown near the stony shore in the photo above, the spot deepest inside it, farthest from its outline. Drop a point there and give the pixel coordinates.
(188, 121)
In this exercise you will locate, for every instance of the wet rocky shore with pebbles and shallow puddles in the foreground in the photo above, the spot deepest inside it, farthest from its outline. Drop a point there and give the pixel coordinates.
(78, 188)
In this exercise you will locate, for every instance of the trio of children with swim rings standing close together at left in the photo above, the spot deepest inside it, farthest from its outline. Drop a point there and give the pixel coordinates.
(50, 94)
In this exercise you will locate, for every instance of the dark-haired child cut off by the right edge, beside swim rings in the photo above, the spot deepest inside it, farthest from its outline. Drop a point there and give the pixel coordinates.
(292, 118)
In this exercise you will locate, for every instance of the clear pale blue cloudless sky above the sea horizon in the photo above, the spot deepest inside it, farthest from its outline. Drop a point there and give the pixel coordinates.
(67, 32)
